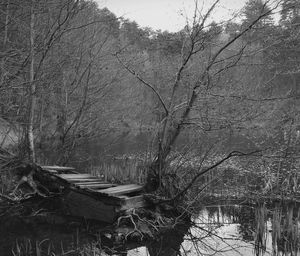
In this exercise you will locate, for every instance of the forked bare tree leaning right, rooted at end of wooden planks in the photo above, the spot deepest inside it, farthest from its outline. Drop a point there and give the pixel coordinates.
(177, 109)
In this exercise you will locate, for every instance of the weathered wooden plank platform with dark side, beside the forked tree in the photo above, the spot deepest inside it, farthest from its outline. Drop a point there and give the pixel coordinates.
(91, 197)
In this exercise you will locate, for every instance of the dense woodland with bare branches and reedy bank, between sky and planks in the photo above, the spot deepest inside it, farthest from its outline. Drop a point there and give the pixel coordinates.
(219, 97)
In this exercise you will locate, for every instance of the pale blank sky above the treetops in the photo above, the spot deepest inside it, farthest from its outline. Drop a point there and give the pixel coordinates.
(167, 14)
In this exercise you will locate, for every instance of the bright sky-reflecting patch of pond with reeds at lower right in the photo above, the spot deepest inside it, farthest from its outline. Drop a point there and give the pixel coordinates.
(264, 229)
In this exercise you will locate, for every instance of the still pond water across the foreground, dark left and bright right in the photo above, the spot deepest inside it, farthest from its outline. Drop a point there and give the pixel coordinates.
(229, 229)
